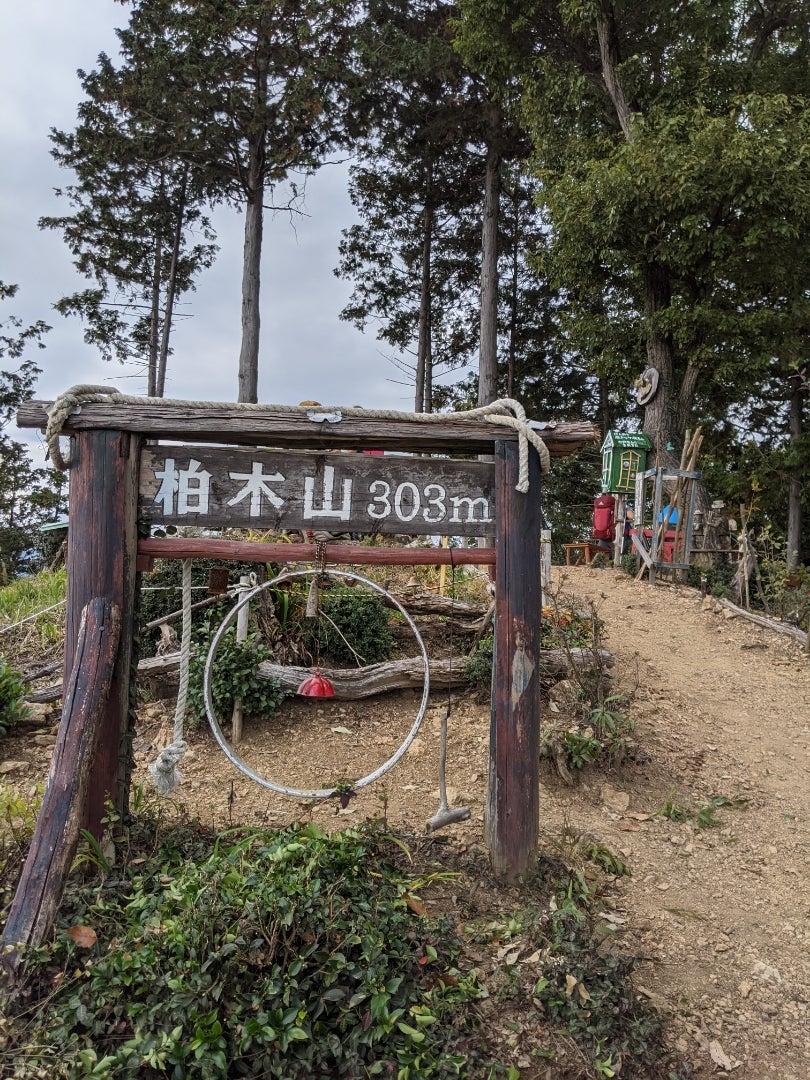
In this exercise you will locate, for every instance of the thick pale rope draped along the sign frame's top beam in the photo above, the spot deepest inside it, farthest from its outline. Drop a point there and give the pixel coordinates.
(507, 412)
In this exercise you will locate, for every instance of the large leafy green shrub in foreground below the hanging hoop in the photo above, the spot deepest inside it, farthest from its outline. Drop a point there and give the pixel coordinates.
(293, 955)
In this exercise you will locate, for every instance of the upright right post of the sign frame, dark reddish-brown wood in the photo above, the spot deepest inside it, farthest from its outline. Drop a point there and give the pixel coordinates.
(512, 819)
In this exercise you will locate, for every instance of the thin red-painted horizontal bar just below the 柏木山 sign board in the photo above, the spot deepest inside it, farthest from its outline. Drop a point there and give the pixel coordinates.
(253, 551)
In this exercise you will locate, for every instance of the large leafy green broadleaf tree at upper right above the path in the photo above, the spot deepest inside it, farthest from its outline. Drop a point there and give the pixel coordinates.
(672, 143)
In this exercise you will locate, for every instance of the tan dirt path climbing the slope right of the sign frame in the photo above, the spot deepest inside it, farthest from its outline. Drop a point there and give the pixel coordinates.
(722, 914)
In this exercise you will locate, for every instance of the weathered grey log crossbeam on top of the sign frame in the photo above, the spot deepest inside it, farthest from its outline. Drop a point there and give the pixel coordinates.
(268, 426)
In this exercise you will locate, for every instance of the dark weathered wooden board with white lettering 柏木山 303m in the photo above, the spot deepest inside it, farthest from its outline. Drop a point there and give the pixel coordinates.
(335, 492)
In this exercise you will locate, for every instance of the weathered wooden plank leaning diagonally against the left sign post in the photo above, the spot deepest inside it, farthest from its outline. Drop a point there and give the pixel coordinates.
(57, 833)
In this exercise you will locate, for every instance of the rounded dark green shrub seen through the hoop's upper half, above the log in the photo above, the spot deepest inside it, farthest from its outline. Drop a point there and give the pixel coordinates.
(352, 629)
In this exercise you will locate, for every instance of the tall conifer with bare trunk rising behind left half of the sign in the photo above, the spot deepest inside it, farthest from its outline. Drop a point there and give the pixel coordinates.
(247, 92)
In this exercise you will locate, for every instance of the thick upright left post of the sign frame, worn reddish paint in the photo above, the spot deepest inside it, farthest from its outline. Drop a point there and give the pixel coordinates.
(101, 563)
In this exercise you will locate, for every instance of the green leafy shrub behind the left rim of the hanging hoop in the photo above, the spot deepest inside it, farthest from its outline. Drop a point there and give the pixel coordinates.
(235, 674)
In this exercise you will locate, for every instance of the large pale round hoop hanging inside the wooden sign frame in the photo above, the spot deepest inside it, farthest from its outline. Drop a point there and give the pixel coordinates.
(322, 793)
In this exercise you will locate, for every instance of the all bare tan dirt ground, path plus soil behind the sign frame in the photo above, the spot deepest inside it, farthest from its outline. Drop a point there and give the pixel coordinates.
(722, 709)
